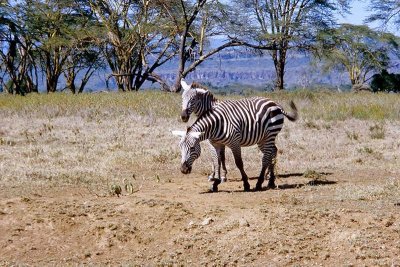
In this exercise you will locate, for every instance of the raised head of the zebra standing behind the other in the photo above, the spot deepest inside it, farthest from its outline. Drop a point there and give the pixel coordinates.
(191, 100)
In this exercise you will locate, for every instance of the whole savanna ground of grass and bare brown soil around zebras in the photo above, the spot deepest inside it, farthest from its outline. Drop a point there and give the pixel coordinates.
(64, 160)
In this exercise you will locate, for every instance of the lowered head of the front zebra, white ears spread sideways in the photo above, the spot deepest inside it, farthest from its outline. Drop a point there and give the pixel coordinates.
(190, 149)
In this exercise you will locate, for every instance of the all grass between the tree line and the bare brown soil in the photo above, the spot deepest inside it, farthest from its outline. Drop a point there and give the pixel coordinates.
(103, 138)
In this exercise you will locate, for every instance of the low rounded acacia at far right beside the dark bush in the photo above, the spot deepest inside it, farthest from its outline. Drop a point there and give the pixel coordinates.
(358, 50)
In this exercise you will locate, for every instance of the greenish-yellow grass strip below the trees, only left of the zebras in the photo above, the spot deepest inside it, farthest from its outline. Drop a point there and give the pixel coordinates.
(153, 103)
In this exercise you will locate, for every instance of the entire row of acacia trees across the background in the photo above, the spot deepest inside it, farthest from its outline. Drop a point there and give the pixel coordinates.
(45, 41)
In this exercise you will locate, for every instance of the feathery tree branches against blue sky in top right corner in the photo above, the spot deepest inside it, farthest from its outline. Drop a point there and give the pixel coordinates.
(385, 11)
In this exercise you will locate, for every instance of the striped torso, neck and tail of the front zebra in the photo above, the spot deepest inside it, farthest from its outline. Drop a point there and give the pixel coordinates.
(248, 120)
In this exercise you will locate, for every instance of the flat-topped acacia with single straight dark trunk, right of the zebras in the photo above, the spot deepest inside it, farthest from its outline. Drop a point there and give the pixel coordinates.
(281, 25)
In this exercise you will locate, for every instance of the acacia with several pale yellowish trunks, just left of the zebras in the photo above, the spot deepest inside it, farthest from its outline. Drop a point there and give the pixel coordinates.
(137, 40)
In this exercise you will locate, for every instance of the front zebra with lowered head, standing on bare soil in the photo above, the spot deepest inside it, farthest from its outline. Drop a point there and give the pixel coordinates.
(237, 123)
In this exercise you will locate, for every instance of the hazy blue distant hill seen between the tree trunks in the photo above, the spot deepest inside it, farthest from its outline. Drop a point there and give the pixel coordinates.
(234, 67)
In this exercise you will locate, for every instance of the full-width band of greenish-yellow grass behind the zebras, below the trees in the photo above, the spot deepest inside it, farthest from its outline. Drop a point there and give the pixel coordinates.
(312, 105)
